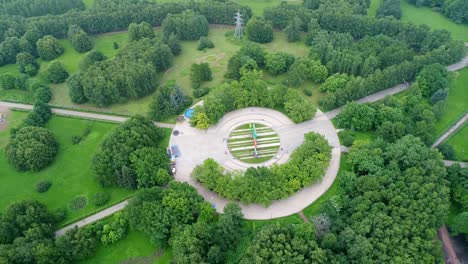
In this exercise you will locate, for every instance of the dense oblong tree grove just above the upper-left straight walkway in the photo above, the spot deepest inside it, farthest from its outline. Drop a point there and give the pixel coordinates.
(131, 74)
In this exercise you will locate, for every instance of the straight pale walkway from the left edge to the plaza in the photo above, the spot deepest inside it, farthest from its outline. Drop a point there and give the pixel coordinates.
(86, 115)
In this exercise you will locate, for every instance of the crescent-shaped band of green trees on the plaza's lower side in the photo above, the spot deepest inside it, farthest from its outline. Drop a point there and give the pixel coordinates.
(263, 185)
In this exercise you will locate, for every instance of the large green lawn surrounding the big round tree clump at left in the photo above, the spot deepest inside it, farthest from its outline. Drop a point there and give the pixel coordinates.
(71, 174)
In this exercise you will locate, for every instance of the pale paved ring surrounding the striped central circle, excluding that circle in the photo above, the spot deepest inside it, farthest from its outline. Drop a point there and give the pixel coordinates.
(195, 146)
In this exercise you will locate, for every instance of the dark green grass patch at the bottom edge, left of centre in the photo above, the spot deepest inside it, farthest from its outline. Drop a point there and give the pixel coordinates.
(134, 248)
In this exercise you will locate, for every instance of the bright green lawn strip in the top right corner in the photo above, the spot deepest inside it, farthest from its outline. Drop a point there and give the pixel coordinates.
(435, 20)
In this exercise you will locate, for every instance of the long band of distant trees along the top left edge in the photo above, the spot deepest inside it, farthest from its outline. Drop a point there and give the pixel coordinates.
(117, 16)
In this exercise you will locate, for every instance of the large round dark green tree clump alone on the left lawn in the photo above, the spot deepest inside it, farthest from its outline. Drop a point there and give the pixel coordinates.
(32, 148)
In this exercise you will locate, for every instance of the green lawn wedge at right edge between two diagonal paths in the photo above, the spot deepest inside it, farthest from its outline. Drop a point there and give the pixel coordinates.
(457, 102)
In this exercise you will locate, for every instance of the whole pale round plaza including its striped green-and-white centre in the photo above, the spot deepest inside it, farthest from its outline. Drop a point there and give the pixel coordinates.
(218, 143)
